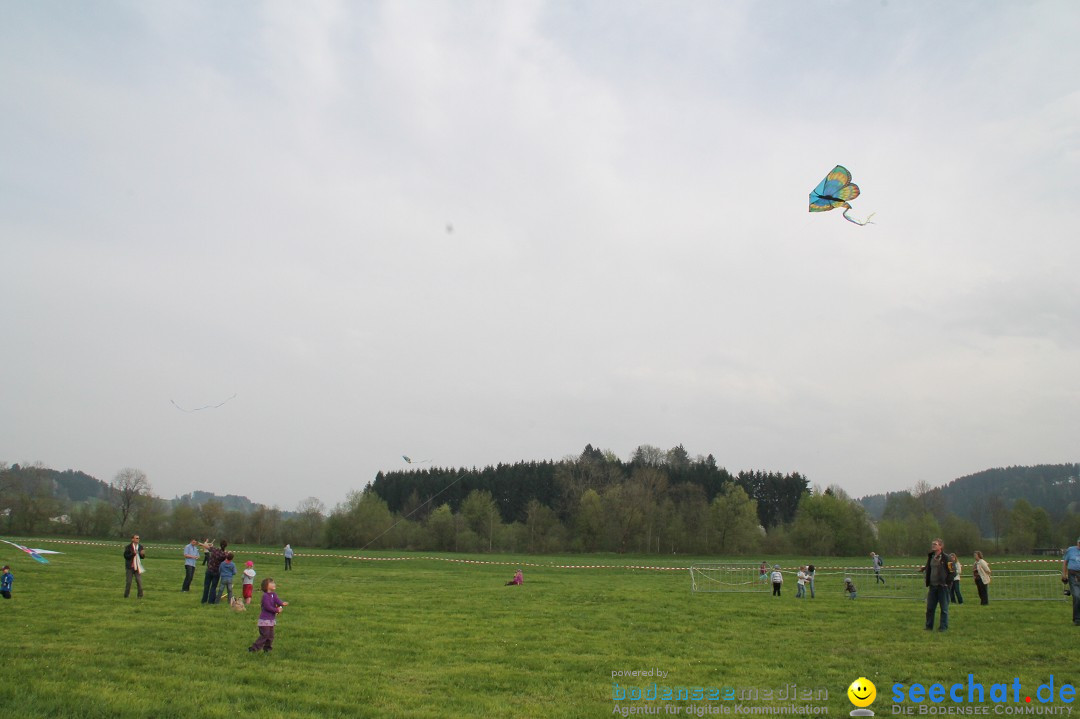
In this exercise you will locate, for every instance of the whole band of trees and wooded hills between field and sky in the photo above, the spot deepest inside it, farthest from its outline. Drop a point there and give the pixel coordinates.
(657, 501)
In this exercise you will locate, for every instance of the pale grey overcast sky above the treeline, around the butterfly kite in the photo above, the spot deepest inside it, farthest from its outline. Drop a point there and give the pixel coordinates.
(207, 199)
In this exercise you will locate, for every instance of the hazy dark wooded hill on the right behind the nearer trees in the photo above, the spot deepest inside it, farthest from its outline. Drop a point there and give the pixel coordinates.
(1054, 487)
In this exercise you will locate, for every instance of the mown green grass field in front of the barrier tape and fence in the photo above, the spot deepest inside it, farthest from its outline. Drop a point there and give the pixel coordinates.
(430, 639)
